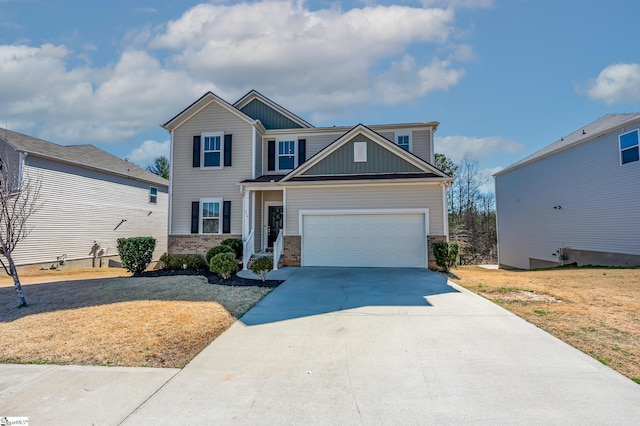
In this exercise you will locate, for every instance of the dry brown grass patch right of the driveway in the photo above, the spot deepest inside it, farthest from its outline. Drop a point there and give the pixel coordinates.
(596, 310)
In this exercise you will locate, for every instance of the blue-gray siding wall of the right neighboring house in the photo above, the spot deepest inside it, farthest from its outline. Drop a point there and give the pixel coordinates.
(599, 200)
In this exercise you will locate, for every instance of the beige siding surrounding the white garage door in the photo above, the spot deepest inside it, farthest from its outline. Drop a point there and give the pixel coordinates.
(350, 197)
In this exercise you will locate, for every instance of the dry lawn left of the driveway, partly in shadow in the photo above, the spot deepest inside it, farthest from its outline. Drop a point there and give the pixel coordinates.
(103, 317)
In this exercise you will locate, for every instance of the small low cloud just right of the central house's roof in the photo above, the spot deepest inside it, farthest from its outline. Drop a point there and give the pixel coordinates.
(456, 147)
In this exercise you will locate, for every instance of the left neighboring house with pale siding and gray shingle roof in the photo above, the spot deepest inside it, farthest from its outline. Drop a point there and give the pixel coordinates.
(89, 198)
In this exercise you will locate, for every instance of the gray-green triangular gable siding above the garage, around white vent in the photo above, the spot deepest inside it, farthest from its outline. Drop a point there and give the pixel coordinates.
(379, 160)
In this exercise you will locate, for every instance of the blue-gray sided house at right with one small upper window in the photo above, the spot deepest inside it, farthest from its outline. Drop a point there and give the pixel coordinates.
(575, 201)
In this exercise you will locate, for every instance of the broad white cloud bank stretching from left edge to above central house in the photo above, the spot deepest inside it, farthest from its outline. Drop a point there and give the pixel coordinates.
(321, 61)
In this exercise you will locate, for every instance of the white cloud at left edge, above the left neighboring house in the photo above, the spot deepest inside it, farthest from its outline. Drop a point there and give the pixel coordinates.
(86, 104)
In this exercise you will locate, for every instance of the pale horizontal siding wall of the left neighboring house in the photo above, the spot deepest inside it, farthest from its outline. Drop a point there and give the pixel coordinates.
(79, 206)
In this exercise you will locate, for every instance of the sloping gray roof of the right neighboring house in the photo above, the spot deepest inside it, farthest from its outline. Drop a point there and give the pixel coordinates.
(592, 130)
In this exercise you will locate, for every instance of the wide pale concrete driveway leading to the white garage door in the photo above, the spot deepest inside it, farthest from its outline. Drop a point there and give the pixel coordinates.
(387, 346)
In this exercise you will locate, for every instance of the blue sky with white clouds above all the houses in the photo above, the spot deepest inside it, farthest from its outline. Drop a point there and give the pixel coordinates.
(504, 78)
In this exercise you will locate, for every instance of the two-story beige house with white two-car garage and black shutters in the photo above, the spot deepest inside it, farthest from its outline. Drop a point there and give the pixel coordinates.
(321, 196)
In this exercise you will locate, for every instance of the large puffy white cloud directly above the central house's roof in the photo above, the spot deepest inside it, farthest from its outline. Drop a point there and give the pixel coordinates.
(318, 60)
